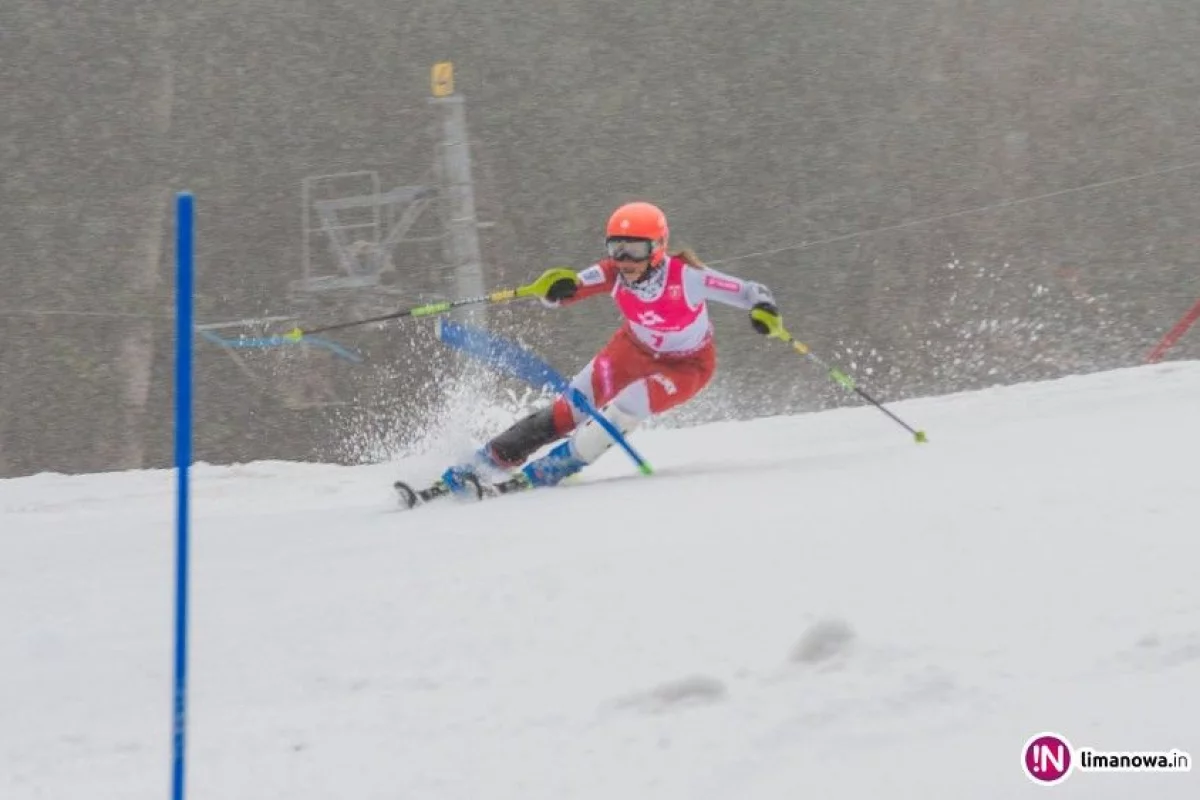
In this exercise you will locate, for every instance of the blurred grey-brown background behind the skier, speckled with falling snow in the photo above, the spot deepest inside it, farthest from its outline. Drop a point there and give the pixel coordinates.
(944, 195)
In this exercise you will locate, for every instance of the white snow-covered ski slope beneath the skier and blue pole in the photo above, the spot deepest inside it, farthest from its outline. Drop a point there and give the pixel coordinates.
(796, 607)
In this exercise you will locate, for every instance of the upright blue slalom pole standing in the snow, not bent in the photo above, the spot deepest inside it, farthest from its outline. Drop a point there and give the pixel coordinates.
(184, 334)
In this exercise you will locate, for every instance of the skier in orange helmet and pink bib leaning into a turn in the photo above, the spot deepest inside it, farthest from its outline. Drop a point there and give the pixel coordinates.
(661, 358)
